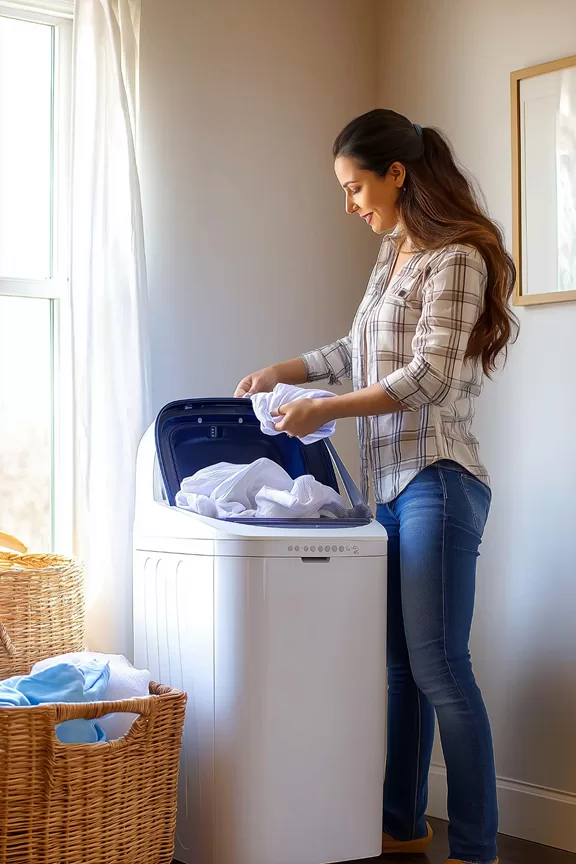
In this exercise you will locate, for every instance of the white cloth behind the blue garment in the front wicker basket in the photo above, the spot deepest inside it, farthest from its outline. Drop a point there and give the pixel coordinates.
(126, 682)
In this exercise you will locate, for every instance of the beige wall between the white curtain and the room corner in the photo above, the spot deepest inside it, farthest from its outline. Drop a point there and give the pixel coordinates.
(251, 257)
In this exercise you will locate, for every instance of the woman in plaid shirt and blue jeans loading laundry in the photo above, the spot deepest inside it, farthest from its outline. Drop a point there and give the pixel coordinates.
(434, 320)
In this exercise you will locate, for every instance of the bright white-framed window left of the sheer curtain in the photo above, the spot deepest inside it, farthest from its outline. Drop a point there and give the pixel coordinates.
(35, 62)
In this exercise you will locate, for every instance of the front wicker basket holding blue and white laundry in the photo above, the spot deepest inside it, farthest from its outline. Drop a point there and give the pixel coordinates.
(107, 803)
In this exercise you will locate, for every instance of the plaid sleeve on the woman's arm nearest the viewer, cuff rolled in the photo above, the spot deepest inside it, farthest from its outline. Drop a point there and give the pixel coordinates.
(452, 302)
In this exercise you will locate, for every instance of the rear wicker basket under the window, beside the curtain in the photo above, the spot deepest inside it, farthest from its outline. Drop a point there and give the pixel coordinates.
(41, 609)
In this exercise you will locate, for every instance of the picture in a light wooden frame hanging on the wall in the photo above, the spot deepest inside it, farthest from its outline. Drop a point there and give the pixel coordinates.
(537, 121)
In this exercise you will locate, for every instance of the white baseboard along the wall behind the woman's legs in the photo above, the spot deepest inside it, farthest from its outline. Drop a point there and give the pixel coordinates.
(532, 813)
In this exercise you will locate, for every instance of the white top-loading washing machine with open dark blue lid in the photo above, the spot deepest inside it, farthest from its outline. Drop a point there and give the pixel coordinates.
(276, 630)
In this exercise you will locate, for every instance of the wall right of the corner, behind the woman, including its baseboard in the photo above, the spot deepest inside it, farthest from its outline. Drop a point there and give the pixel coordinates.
(447, 63)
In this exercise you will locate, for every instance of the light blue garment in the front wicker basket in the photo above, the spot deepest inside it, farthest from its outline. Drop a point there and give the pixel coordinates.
(61, 683)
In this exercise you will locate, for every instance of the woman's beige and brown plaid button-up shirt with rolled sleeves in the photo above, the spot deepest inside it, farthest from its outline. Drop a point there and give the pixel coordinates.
(410, 335)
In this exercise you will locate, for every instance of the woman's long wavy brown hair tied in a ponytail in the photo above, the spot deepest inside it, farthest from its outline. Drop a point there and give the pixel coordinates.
(439, 206)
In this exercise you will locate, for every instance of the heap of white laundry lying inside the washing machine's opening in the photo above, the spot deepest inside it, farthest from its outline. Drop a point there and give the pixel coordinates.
(262, 489)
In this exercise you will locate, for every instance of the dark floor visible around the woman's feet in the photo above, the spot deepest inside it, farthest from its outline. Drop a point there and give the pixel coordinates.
(512, 851)
